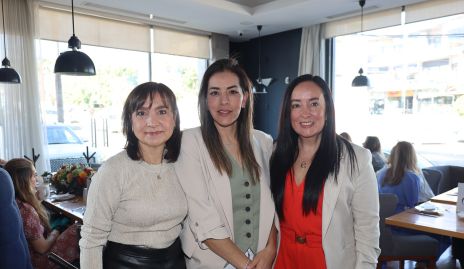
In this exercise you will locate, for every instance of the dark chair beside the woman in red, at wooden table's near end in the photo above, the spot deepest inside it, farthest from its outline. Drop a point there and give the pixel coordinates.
(403, 247)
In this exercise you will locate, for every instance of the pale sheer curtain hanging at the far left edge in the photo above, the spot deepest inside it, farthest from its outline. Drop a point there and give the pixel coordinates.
(21, 127)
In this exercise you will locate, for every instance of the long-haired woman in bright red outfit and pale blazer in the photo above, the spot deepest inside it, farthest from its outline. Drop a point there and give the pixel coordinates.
(324, 187)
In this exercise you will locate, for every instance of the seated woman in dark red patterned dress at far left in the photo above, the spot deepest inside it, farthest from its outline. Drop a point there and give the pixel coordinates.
(40, 237)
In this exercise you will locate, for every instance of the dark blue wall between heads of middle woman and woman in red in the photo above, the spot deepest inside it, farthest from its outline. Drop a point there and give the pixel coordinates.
(279, 59)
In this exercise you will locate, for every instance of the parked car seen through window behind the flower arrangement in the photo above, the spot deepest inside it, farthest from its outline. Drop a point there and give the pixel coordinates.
(65, 146)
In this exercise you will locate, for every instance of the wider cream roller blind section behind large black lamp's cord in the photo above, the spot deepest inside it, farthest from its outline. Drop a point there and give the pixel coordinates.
(56, 25)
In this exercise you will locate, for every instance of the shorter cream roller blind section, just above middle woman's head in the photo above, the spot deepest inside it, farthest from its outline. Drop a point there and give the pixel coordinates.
(170, 41)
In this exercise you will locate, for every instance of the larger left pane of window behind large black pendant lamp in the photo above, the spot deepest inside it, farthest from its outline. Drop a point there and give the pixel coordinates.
(90, 107)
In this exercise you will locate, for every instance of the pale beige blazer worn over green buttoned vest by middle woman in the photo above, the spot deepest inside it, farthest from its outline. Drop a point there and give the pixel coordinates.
(210, 213)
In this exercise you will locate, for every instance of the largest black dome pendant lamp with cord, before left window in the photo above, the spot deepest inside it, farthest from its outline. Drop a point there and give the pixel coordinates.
(74, 62)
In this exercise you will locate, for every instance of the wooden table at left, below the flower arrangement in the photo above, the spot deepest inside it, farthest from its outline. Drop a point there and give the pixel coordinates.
(73, 209)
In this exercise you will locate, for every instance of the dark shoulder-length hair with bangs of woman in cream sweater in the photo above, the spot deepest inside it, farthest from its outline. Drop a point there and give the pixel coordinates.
(135, 101)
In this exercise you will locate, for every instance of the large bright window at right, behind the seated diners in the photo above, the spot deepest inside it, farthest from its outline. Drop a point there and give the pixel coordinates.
(417, 87)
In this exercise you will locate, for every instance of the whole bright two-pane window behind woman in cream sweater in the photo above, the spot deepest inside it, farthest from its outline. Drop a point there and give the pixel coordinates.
(92, 106)
